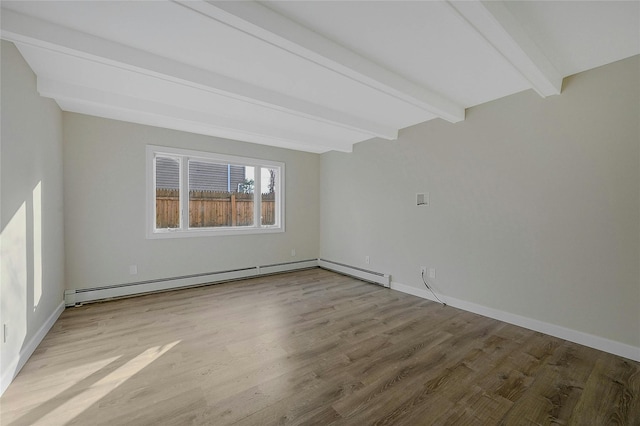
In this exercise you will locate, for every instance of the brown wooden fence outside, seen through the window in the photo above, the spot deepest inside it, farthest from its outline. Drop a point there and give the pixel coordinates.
(212, 209)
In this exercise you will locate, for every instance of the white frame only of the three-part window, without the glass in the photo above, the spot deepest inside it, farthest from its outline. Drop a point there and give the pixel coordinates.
(184, 155)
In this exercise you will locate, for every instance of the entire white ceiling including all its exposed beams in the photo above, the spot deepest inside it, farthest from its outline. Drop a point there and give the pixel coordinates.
(313, 76)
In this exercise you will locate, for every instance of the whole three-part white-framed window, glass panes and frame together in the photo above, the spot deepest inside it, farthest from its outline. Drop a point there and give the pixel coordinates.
(192, 193)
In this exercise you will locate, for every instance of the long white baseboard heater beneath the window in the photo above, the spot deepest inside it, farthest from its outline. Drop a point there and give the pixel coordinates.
(74, 297)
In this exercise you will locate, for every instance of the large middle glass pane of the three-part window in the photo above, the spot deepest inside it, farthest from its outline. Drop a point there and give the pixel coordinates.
(220, 195)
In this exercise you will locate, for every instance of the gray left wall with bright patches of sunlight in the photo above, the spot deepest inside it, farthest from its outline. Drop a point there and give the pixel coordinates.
(32, 259)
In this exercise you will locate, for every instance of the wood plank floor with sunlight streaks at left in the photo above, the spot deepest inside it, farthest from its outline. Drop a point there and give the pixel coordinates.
(310, 347)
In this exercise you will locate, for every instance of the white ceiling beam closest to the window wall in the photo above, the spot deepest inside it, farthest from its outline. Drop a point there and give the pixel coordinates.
(152, 113)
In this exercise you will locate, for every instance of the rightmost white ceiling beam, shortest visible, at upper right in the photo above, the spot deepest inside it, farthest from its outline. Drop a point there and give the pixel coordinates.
(495, 24)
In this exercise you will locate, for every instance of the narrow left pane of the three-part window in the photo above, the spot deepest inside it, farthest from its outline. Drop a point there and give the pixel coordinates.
(167, 193)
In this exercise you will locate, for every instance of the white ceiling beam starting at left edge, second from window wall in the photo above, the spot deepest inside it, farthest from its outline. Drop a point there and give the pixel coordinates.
(34, 32)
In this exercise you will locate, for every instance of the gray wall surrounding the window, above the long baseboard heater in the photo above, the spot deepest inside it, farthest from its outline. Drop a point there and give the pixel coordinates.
(104, 177)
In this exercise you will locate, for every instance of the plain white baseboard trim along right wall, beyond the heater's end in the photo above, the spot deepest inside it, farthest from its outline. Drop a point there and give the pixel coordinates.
(596, 342)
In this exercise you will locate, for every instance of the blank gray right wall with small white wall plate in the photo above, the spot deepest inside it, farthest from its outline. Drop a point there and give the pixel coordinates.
(534, 205)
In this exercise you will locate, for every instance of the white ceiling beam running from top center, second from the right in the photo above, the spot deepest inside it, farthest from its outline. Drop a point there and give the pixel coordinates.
(266, 25)
